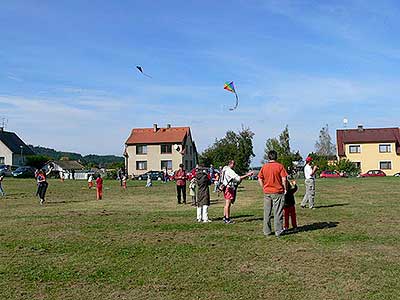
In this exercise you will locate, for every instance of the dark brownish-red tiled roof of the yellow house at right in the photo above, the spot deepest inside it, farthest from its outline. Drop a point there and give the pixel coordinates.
(372, 135)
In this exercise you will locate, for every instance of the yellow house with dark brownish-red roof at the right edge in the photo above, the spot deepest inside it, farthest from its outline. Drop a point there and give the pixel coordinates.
(371, 149)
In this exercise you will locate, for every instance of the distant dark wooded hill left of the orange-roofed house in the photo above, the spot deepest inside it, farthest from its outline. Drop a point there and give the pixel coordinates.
(88, 160)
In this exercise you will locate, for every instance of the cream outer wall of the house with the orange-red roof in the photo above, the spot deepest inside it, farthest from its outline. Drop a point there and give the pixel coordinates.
(154, 157)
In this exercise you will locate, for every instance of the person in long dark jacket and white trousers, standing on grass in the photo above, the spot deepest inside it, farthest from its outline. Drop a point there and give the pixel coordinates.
(203, 195)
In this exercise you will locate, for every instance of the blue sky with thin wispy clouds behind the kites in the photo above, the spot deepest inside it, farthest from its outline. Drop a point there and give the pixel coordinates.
(68, 78)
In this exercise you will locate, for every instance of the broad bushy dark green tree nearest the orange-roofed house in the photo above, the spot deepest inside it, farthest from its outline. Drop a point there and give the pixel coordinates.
(236, 146)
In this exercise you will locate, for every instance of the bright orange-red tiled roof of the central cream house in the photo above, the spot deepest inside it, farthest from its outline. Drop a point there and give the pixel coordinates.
(162, 135)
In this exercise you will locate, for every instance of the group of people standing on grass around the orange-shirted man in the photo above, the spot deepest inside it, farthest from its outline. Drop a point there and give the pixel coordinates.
(279, 199)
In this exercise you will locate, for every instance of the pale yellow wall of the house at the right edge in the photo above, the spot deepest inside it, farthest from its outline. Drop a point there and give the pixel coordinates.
(370, 157)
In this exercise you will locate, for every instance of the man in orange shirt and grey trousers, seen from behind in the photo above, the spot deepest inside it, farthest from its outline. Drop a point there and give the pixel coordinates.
(272, 178)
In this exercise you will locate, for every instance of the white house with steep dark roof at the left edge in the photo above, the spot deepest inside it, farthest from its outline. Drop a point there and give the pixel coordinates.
(13, 150)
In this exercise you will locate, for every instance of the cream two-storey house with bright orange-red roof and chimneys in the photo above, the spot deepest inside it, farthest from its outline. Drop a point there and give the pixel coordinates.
(157, 149)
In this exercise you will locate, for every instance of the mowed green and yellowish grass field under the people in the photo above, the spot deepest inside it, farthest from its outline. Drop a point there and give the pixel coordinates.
(139, 244)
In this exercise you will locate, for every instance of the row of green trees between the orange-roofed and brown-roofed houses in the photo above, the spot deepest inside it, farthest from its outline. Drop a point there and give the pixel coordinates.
(239, 146)
